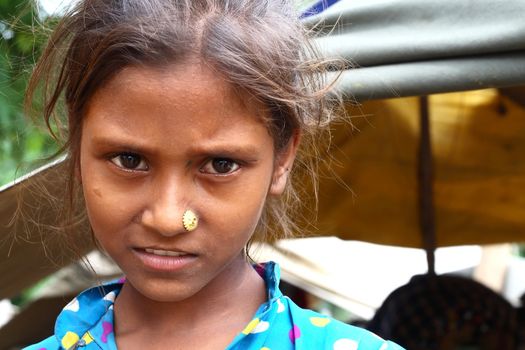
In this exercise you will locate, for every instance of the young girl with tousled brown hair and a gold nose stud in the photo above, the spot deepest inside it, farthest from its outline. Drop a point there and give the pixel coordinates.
(184, 118)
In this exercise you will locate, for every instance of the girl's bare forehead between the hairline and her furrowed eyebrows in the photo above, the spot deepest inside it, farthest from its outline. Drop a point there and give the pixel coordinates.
(189, 99)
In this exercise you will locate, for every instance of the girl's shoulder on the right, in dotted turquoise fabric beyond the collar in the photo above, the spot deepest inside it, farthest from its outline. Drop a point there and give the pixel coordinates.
(310, 328)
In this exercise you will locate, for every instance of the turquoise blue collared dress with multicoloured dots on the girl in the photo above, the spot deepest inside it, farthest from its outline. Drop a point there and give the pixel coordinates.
(86, 323)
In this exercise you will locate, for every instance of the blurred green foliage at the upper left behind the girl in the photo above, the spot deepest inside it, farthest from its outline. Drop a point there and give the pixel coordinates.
(21, 143)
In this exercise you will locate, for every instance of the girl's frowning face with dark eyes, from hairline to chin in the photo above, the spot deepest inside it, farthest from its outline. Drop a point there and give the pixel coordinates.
(156, 142)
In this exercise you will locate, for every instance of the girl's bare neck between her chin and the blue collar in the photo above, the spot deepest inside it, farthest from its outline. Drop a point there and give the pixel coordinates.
(224, 307)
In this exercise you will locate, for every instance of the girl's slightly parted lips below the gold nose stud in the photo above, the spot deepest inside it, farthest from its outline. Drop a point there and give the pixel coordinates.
(164, 260)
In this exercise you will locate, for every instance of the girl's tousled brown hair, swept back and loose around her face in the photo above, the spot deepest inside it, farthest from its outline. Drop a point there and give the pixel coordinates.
(259, 46)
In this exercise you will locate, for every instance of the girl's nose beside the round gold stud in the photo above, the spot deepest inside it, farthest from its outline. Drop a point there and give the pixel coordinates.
(164, 214)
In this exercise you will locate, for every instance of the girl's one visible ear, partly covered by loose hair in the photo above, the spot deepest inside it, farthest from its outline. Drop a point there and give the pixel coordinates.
(283, 165)
